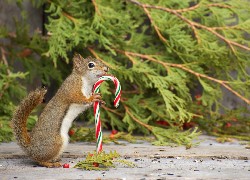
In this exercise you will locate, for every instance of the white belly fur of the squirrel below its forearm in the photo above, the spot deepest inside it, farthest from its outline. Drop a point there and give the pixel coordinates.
(73, 111)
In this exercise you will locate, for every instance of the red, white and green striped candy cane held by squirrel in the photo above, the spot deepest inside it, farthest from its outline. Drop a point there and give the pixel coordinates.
(96, 88)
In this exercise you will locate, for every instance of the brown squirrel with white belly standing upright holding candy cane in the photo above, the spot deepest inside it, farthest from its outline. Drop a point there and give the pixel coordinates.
(49, 137)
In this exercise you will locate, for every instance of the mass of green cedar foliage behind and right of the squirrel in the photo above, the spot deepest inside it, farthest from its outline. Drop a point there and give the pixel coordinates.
(162, 52)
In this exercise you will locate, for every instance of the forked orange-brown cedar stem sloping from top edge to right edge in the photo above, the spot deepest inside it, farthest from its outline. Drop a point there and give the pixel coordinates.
(193, 24)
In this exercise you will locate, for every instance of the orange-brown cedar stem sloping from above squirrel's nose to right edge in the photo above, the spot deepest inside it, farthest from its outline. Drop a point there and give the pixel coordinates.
(183, 67)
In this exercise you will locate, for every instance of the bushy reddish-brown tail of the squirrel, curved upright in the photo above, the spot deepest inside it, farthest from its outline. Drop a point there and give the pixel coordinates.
(22, 113)
